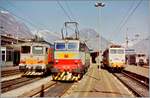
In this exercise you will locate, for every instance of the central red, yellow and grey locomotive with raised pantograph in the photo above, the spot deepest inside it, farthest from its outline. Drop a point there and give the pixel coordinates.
(71, 58)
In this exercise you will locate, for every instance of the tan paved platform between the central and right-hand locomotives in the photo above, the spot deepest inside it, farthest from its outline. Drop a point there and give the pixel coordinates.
(98, 83)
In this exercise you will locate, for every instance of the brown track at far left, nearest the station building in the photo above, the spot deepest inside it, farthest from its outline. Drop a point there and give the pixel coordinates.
(9, 72)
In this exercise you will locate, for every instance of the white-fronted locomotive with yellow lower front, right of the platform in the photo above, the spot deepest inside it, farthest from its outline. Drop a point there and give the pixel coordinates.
(114, 58)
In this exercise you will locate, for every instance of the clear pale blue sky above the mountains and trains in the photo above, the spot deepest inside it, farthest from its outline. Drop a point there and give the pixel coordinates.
(49, 15)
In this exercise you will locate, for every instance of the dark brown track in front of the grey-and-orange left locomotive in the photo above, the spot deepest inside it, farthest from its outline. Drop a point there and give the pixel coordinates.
(16, 83)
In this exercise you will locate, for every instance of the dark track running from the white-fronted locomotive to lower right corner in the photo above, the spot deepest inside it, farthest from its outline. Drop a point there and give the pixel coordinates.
(139, 85)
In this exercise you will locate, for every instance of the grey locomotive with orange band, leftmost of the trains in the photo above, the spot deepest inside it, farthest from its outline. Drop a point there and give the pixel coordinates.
(35, 58)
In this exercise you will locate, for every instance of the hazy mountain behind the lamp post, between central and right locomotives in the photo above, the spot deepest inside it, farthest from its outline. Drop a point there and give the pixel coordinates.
(92, 39)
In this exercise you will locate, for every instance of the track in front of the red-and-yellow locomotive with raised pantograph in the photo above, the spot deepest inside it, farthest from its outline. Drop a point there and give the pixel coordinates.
(51, 89)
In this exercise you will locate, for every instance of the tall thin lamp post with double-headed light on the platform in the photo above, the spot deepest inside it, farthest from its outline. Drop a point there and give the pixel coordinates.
(98, 5)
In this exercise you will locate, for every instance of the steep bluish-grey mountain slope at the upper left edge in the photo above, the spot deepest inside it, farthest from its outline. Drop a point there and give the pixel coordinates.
(10, 25)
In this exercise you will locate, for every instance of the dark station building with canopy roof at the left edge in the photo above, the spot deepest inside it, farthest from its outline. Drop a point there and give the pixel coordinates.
(9, 50)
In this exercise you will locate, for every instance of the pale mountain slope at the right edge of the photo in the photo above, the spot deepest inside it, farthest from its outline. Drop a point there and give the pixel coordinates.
(143, 46)
